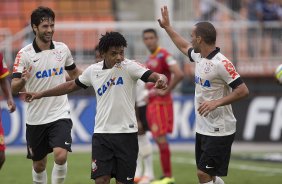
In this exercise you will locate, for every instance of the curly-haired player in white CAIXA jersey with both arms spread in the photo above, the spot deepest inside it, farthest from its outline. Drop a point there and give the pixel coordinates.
(114, 142)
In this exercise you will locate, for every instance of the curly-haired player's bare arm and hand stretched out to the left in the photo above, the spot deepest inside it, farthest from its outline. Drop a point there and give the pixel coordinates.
(59, 90)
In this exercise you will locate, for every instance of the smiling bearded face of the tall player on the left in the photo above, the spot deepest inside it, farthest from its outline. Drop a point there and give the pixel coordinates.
(45, 30)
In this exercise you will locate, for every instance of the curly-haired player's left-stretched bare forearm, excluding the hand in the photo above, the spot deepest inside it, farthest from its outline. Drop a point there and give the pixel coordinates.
(61, 89)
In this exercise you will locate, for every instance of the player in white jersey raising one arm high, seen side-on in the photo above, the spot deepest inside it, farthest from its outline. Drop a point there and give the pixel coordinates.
(218, 85)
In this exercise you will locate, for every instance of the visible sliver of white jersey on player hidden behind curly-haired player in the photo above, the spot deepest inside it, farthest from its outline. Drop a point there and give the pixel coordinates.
(141, 93)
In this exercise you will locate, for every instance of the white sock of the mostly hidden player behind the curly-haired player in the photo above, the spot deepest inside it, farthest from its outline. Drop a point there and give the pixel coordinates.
(146, 151)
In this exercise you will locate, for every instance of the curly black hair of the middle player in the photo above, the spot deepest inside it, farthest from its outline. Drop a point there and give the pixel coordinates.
(111, 39)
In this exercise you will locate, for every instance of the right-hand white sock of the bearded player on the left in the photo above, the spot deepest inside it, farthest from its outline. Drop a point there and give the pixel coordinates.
(59, 173)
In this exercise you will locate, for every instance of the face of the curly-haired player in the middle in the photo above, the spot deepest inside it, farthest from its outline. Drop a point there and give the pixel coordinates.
(114, 55)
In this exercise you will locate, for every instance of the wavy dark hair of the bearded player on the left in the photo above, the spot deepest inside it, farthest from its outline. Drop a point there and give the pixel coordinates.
(40, 14)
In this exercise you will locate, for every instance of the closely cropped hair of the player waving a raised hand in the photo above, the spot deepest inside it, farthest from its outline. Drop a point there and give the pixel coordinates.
(207, 31)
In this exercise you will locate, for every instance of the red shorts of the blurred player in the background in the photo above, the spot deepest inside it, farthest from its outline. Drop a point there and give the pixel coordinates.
(160, 118)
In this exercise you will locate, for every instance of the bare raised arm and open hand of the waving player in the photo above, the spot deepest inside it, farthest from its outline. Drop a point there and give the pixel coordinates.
(179, 41)
